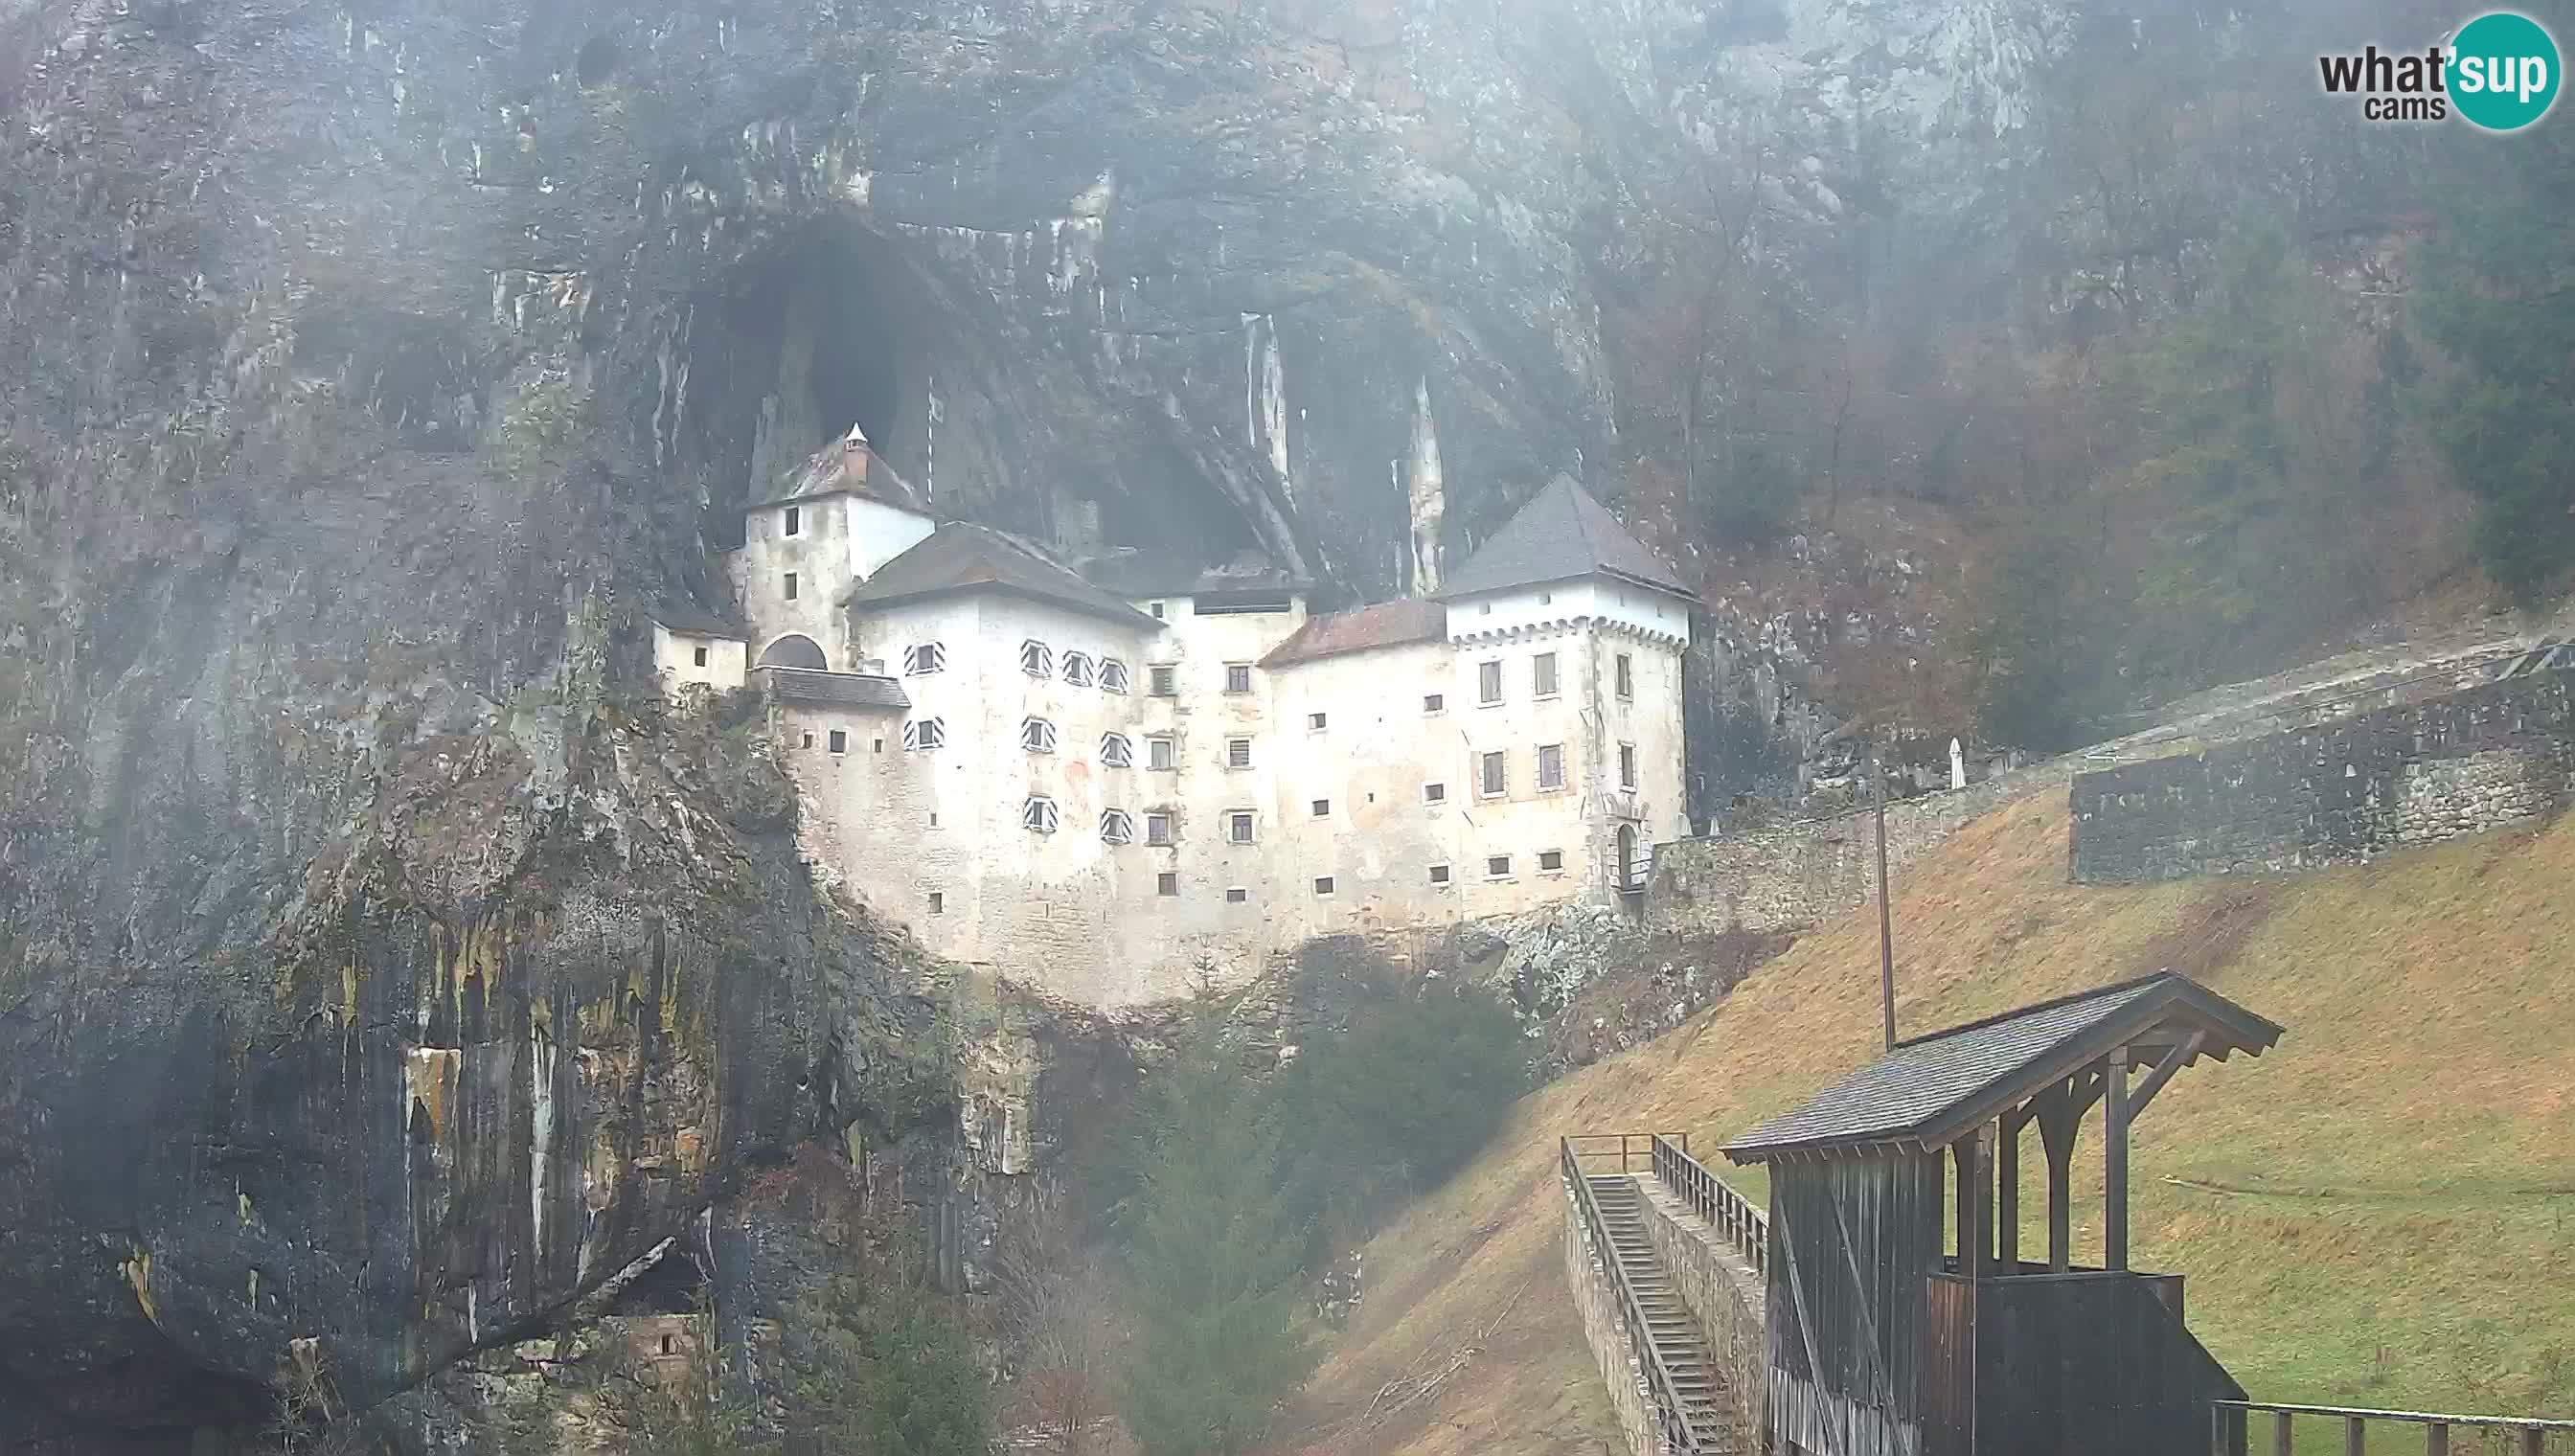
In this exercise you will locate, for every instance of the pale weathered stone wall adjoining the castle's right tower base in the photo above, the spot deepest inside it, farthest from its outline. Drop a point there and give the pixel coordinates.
(1801, 875)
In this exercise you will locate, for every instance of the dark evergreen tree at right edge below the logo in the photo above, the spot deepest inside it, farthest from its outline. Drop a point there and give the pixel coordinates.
(2502, 303)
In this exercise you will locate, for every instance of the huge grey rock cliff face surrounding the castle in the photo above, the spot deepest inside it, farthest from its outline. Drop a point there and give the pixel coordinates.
(380, 965)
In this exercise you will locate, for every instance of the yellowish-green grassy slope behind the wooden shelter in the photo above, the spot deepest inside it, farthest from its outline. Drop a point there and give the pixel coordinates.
(2378, 1212)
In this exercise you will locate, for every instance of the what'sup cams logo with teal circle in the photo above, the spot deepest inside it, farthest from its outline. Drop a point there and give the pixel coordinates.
(2496, 73)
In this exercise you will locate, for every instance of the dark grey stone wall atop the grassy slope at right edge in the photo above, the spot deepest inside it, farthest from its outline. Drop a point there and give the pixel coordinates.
(2339, 792)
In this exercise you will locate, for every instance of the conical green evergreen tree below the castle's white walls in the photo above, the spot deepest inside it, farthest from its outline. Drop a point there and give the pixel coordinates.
(1214, 1264)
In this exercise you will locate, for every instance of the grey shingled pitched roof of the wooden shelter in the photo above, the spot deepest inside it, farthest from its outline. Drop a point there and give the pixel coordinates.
(1935, 1089)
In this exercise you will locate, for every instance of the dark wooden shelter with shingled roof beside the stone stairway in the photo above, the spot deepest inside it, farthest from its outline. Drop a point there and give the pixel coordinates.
(1889, 1344)
